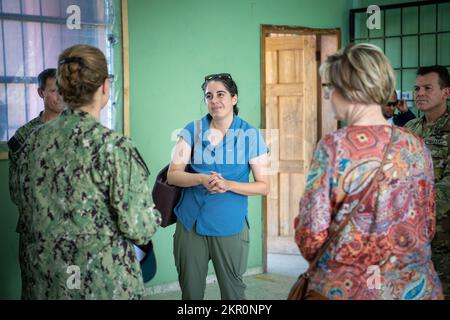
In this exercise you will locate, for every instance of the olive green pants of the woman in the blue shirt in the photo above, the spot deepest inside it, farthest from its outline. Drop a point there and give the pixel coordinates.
(229, 255)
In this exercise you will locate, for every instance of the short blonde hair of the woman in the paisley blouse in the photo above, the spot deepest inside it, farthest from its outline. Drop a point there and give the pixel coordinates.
(361, 73)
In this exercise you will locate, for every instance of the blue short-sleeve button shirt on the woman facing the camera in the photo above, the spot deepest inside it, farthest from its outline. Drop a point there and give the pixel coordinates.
(221, 214)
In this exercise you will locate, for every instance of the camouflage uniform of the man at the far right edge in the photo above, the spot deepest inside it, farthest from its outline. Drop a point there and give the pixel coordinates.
(437, 138)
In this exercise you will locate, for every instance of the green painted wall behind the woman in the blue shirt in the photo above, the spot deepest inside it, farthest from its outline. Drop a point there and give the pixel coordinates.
(173, 44)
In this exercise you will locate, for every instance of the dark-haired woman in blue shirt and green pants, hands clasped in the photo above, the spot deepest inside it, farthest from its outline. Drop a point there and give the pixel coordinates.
(221, 150)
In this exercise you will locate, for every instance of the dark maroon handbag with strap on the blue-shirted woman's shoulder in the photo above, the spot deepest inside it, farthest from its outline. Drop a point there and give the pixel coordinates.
(166, 196)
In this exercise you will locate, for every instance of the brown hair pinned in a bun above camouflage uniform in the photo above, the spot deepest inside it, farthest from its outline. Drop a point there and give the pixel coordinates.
(82, 69)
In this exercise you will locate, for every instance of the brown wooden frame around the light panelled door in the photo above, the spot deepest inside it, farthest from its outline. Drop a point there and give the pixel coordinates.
(266, 30)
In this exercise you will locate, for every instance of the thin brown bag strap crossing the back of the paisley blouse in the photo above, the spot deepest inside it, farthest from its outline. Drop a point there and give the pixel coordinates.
(332, 237)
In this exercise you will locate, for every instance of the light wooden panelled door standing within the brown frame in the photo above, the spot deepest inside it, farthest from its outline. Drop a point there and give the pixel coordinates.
(291, 108)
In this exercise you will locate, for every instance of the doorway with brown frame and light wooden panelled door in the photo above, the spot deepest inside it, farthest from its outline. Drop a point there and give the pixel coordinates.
(295, 118)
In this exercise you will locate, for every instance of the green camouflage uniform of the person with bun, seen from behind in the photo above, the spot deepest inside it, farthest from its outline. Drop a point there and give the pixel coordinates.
(83, 200)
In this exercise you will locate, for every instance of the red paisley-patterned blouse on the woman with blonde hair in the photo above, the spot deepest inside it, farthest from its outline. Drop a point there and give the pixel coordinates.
(384, 252)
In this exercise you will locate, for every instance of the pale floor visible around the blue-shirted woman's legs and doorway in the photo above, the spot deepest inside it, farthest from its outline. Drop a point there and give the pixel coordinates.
(283, 269)
